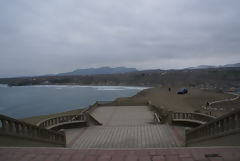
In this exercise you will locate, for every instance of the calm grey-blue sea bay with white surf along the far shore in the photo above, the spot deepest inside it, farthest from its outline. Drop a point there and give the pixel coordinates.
(26, 101)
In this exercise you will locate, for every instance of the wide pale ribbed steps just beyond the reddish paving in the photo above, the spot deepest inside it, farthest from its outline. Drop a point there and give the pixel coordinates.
(137, 136)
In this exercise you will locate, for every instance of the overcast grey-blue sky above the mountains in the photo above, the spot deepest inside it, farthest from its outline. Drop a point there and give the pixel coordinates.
(53, 36)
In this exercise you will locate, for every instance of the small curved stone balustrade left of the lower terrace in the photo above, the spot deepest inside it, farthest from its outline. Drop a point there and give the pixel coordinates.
(62, 120)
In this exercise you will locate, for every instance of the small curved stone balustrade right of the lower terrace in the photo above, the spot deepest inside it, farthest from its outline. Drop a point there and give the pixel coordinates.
(194, 117)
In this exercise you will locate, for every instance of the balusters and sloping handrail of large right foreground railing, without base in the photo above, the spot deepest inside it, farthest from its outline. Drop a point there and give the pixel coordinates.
(226, 124)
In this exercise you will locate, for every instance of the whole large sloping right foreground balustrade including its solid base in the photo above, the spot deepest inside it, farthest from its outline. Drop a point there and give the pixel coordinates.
(226, 125)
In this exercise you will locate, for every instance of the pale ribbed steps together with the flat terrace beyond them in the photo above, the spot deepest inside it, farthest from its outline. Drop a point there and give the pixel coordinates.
(125, 127)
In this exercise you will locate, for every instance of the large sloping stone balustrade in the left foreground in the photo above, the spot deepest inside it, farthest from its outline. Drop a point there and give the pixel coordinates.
(12, 129)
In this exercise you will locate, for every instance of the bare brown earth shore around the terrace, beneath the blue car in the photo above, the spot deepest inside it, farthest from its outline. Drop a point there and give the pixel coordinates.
(160, 97)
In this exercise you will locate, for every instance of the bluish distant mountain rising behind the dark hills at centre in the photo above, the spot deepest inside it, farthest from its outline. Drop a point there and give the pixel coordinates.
(101, 70)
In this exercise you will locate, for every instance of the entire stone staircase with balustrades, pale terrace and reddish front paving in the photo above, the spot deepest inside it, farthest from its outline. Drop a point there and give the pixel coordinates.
(127, 134)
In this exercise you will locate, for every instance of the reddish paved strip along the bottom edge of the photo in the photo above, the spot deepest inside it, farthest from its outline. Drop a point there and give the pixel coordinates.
(156, 154)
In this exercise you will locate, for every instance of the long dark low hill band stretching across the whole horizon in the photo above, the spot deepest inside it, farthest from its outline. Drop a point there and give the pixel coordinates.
(203, 78)
